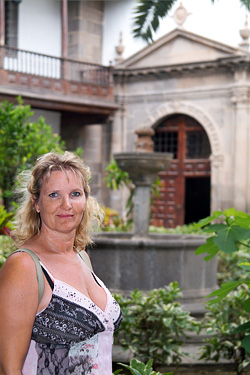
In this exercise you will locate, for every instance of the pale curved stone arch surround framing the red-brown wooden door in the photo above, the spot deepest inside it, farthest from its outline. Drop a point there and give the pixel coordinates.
(216, 158)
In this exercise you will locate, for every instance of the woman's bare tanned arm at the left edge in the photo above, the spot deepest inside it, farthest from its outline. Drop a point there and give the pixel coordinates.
(18, 307)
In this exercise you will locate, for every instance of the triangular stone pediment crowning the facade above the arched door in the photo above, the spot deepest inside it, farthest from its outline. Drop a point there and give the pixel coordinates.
(180, 47)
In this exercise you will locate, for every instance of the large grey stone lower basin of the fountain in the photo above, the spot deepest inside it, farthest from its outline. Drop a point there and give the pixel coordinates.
(126, 263)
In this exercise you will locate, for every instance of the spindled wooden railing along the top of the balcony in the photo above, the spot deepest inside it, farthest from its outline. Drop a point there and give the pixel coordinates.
(37, 64)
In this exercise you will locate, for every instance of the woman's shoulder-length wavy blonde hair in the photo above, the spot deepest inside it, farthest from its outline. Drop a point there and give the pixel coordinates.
(27, 220)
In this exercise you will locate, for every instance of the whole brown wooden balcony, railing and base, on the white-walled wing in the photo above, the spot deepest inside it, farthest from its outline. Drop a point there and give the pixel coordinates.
(56, 83)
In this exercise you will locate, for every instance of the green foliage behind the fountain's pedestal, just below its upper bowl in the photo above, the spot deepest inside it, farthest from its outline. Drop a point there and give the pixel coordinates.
(117, 178)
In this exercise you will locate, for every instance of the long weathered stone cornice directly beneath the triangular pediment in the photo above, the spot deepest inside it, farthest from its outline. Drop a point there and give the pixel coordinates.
(222, 65)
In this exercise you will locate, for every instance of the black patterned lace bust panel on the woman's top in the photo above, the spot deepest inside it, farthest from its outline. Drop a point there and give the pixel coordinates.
(64, 322)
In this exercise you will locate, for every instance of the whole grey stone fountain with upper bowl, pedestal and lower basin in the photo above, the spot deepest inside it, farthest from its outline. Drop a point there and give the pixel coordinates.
(139, 260)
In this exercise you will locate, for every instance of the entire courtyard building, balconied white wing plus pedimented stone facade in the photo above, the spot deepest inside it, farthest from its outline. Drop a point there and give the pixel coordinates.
(193, 91)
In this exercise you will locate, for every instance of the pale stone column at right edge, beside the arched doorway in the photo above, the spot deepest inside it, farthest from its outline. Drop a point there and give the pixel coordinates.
(240, 100)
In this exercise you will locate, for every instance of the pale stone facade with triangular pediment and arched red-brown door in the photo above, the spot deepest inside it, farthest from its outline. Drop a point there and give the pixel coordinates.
(194, 92)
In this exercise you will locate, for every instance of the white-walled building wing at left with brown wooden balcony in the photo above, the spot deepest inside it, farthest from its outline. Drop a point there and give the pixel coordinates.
(51, 55)
